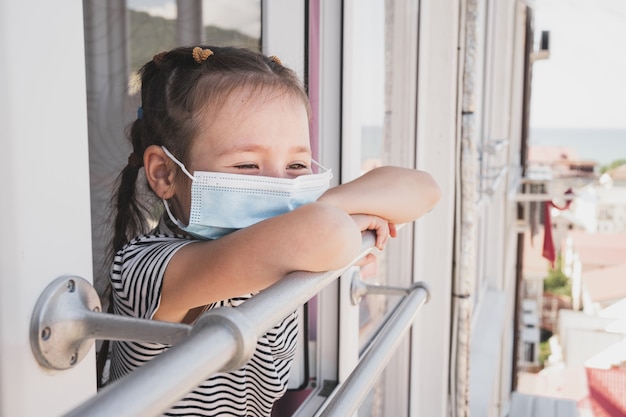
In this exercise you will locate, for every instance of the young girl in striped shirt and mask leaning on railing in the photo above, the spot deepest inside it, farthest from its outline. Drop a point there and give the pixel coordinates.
(223, 138)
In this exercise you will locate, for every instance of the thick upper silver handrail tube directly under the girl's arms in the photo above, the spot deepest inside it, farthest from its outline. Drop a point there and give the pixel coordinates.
(221, 340)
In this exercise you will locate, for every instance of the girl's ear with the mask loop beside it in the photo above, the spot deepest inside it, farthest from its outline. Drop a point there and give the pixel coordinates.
(160, 172)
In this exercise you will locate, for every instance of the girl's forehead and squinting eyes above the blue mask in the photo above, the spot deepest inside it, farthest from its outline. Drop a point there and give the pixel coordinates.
(262, 134)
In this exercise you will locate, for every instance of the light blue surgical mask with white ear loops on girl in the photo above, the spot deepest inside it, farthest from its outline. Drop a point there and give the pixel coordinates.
(222, 203)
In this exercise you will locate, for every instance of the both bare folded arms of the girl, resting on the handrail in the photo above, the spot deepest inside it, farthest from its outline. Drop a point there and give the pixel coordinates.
(321, 236)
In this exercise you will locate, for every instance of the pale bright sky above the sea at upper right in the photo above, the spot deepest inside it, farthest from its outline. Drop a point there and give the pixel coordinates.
(583, 82)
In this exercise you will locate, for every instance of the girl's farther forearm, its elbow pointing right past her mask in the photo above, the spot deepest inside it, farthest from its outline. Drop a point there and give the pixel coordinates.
(398, 195)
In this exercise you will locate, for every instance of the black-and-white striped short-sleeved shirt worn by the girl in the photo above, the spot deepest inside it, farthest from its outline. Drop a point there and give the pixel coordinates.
(137, 278)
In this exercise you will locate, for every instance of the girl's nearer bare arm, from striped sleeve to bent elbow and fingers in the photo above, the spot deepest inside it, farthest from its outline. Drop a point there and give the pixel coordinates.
(314, 237)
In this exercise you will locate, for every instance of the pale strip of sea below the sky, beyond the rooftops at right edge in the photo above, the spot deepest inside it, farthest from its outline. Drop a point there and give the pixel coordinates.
(603, 146)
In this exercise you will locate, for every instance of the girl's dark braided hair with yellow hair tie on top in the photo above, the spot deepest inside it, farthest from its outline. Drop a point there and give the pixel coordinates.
(175, 87)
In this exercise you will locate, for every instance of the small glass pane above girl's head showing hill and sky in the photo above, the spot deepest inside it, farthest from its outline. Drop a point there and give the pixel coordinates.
(232, 23)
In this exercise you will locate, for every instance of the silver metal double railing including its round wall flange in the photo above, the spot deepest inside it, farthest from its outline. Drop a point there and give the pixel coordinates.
(67, 319)
